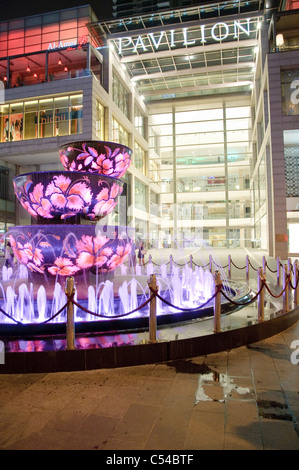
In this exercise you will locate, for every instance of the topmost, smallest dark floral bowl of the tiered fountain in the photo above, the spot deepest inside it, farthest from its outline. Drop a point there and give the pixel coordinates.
(104, 158)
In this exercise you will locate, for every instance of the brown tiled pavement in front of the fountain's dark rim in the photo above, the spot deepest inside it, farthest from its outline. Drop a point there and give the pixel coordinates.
(246, 399)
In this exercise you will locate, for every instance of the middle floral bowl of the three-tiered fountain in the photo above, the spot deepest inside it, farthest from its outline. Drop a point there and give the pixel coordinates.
(65, 194)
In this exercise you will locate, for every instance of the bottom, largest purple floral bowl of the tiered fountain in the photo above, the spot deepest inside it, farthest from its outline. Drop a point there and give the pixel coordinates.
(70, 249)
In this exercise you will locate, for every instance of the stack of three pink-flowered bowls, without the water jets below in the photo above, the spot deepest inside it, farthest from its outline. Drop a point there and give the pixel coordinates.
(67, 206)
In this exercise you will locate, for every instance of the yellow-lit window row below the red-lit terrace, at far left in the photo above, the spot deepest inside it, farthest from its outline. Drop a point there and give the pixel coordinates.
(48, 117)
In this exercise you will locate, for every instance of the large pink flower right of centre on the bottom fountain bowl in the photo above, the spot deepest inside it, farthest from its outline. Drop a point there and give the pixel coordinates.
(92, 251)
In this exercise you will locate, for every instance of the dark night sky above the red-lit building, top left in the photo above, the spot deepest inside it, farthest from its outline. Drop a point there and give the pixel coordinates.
(19, 8)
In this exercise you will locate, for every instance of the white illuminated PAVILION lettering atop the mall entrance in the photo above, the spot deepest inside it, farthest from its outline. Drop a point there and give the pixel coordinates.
(217, 33)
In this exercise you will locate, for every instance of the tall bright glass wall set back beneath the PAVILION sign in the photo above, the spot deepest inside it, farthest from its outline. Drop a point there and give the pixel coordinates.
(200, 159)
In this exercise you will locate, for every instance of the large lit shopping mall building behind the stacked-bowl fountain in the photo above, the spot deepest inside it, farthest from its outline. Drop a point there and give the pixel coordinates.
(207, 97)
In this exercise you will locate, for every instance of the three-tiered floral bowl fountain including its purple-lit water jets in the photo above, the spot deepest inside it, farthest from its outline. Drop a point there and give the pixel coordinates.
(69, 240)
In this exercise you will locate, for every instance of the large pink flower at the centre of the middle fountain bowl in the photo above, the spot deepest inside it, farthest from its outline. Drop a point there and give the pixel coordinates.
(68, 197)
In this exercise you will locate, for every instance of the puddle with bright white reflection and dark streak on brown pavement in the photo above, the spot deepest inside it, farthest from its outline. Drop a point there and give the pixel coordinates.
(212, 385)
